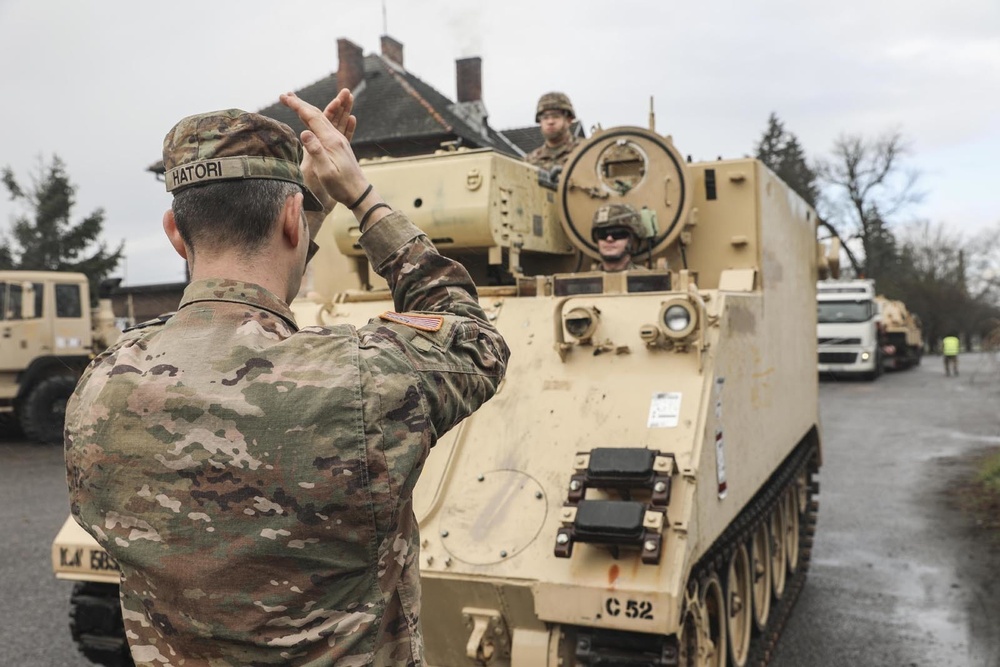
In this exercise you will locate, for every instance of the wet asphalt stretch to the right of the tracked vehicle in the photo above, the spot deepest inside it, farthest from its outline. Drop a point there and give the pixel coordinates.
(899, 577)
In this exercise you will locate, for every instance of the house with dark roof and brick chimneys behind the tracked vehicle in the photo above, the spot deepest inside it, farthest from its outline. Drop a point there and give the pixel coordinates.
(399, 116)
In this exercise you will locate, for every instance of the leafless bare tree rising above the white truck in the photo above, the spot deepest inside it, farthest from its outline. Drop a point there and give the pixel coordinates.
(867, 186)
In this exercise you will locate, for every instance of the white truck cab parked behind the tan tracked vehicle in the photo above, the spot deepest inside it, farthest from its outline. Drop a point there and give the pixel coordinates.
(847, 328)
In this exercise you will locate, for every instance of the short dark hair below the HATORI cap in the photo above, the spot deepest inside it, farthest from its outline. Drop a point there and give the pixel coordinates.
(230, 214)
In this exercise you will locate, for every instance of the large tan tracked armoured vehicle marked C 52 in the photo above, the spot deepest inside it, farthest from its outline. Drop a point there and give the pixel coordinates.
(641, 489)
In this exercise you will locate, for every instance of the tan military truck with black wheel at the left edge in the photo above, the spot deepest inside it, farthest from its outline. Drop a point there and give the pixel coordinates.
(48, 335)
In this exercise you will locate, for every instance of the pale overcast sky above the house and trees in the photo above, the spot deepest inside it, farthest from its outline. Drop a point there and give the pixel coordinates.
(100, 83)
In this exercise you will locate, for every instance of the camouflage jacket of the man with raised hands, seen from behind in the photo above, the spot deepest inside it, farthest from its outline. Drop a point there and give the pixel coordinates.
(254, 479)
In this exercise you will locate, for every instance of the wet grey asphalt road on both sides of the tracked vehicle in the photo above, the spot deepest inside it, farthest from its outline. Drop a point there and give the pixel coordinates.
(898, 577)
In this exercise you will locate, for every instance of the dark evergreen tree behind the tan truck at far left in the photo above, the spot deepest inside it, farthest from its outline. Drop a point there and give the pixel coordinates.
(45, 238)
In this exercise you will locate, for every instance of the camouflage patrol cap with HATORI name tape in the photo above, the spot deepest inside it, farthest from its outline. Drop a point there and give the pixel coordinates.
(233, 145)
